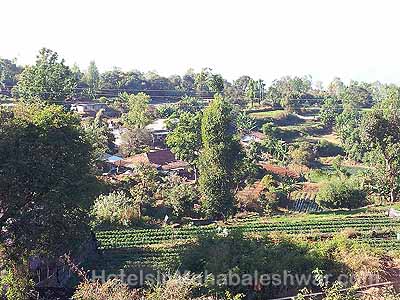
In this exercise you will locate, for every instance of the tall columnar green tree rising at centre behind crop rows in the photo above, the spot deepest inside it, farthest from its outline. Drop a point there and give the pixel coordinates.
(217, 158)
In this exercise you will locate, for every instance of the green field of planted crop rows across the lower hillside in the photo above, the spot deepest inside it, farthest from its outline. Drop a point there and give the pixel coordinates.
(160, 248)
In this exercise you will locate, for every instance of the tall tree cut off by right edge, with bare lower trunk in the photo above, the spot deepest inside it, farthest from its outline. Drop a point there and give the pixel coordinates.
(380, 131)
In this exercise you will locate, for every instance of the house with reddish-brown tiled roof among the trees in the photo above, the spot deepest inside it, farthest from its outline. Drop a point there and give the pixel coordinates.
(163, 160)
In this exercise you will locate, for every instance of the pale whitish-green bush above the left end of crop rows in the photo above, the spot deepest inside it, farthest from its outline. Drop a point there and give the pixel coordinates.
(115, 208)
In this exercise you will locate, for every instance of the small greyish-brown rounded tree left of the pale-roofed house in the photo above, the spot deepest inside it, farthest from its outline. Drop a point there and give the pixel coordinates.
(135, 140)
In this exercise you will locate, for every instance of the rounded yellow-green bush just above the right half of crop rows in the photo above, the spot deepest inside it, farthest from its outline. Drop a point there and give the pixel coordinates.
(341, 194)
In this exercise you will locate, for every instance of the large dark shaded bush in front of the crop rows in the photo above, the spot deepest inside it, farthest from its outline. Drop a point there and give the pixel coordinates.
(235, 254)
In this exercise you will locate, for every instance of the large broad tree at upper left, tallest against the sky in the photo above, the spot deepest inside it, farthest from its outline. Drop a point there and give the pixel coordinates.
(49, 79)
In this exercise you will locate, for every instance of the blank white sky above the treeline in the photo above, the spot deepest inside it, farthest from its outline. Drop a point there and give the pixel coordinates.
(268, 39)
